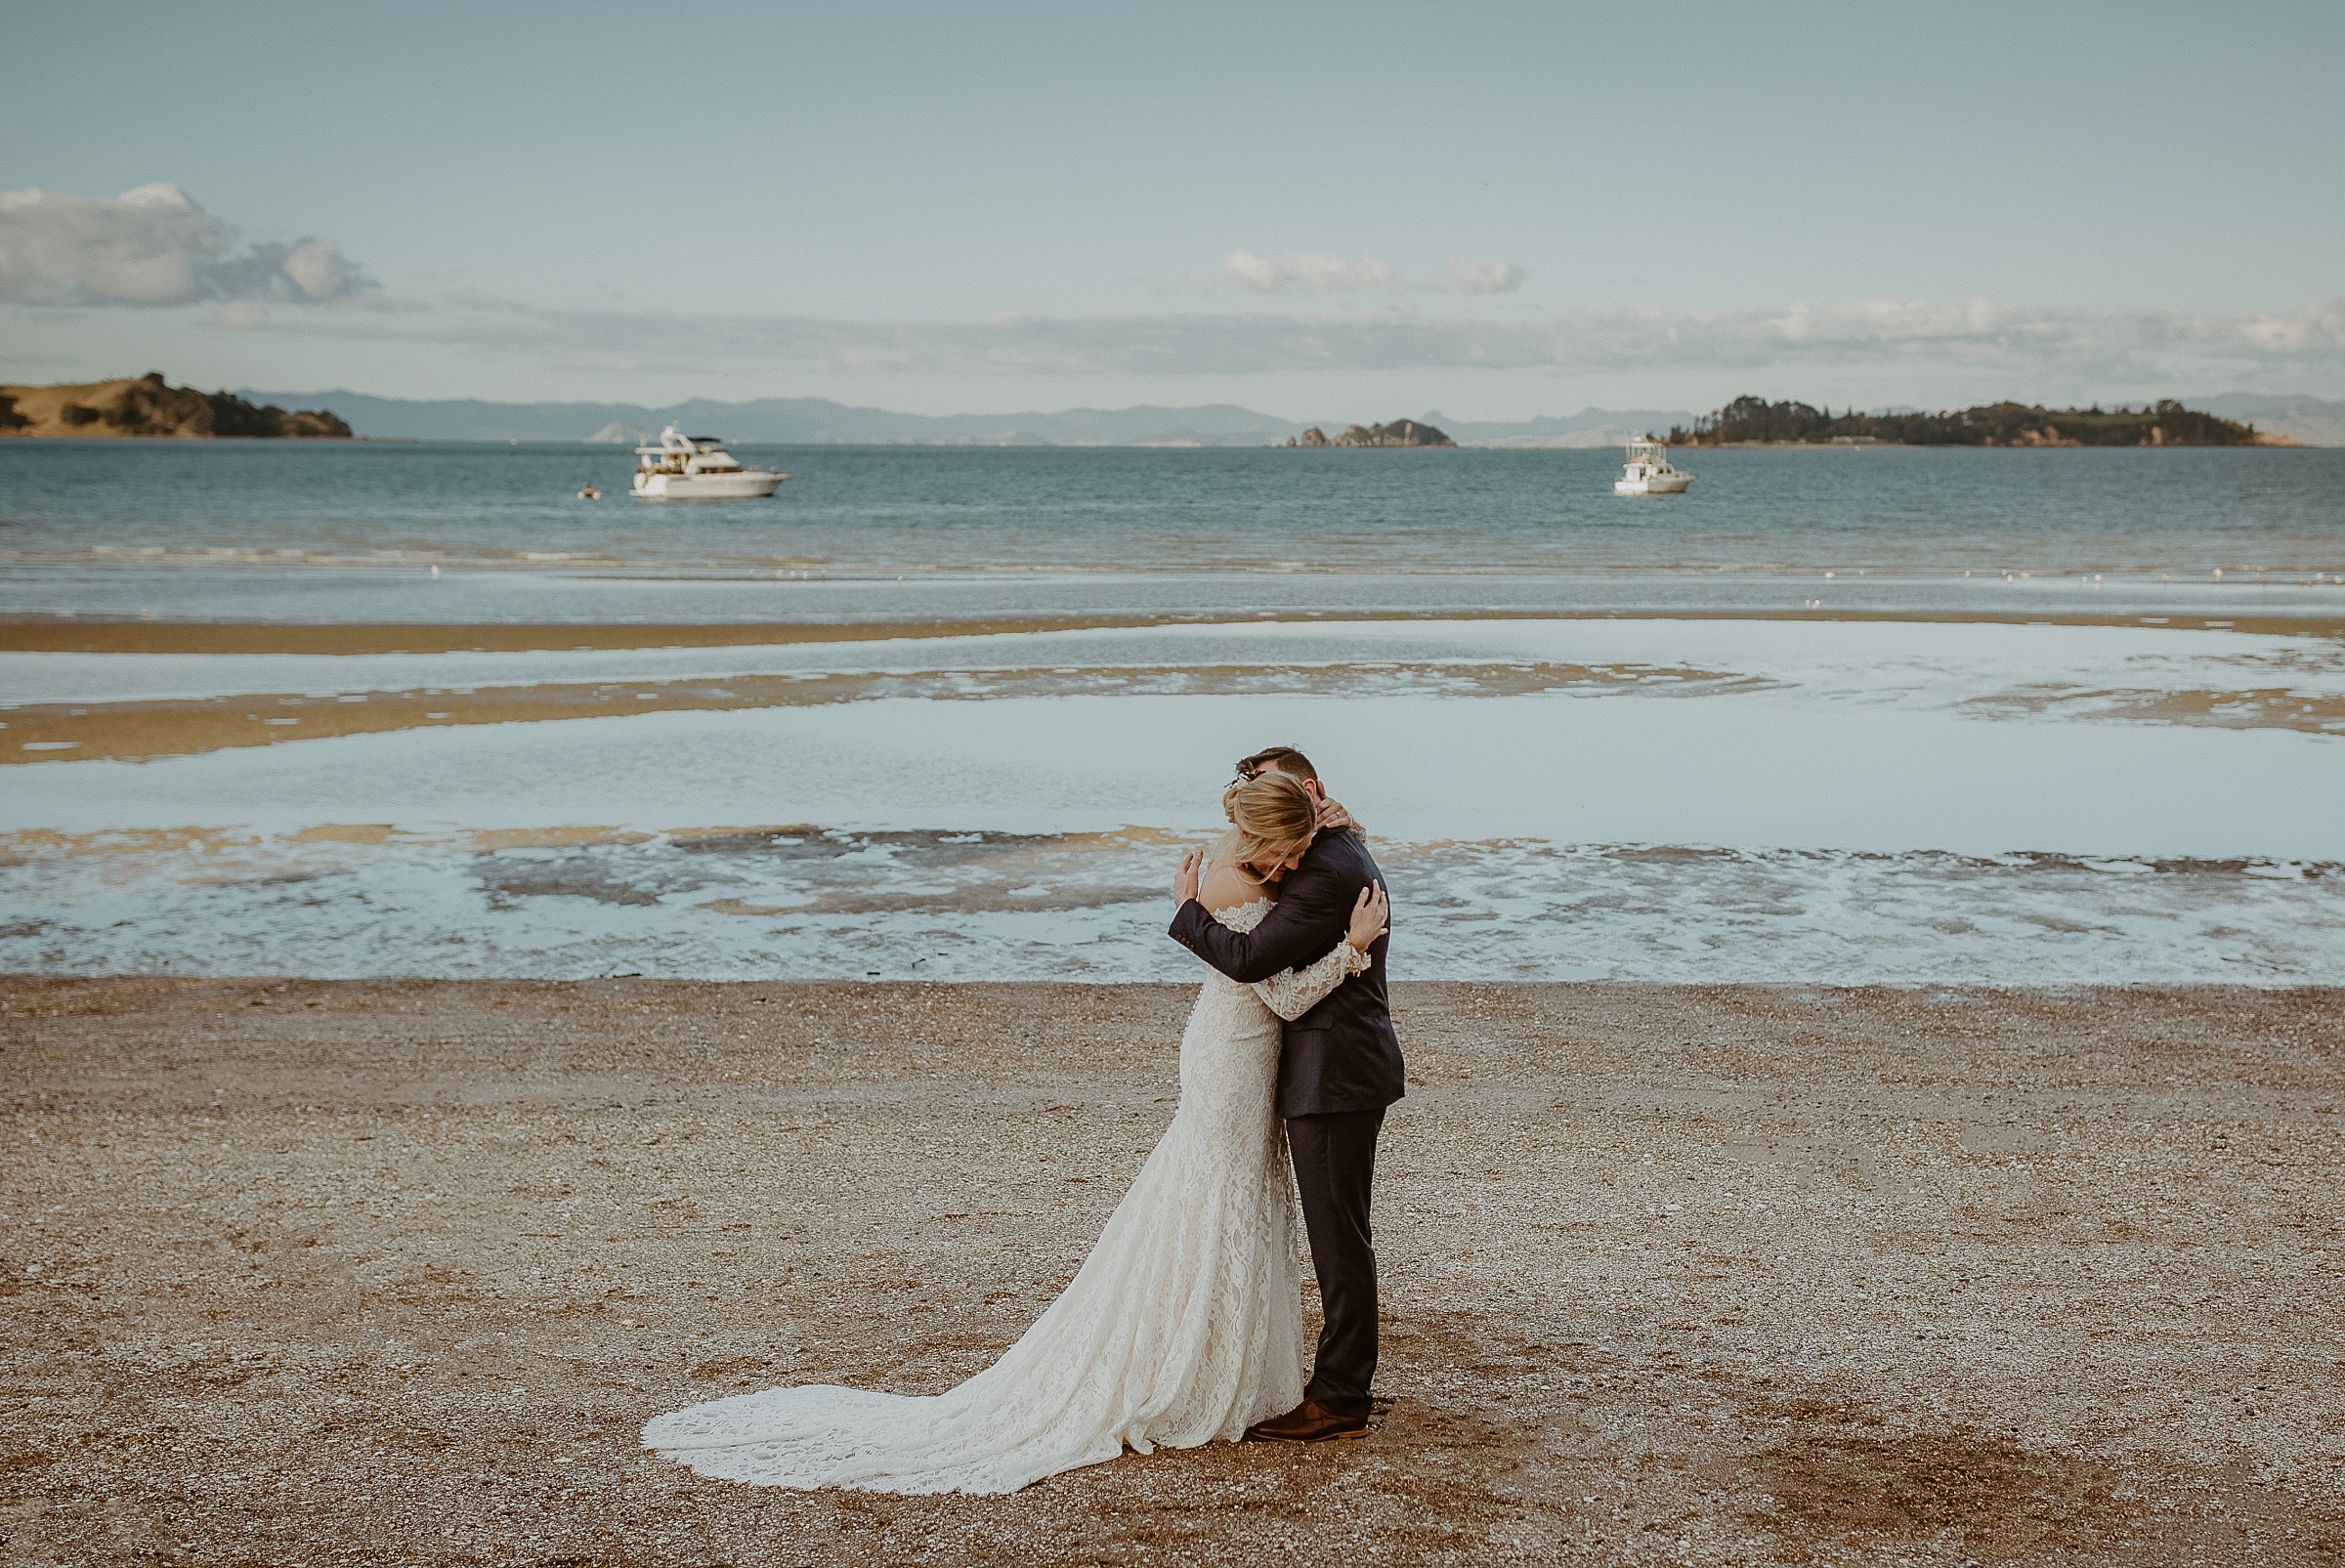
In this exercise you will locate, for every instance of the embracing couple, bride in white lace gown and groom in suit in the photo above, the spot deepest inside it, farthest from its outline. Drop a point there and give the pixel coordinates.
(1185, 1321)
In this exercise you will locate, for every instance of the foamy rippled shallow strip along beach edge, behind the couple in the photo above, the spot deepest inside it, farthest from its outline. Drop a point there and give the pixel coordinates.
(806, 904)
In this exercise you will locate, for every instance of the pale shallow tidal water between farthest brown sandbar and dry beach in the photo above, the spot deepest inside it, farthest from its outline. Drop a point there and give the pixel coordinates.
(1671, 800)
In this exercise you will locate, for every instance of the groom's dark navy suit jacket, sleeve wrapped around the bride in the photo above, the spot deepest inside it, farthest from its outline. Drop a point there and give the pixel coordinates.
(1340, 1056)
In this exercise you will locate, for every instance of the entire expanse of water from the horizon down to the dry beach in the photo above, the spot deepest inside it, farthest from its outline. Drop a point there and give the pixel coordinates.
(1579, 742)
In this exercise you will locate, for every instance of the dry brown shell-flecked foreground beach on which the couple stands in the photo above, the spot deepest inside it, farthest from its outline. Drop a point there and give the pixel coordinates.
(360, 1274)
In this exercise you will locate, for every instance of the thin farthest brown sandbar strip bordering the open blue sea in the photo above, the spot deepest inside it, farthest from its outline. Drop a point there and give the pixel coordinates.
(74, 634)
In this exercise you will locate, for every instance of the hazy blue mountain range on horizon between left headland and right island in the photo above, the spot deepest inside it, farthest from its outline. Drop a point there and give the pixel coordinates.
(824, 423)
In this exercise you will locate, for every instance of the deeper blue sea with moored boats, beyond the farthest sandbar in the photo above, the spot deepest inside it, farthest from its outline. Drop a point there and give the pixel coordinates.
(351, 533)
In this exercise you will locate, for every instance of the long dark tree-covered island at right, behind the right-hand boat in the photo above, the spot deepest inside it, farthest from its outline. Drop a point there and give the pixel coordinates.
(2166, 423)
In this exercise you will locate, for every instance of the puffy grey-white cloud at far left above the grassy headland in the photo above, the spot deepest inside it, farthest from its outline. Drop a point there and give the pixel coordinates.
(151, 247)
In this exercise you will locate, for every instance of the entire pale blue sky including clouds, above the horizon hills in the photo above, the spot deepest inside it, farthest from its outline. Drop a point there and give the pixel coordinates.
(1310, 210)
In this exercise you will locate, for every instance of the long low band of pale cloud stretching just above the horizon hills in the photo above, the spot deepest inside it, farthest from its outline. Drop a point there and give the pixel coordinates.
(2013, 341)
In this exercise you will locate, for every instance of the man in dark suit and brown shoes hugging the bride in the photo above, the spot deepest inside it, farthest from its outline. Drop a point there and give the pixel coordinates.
(1338, 1072)
